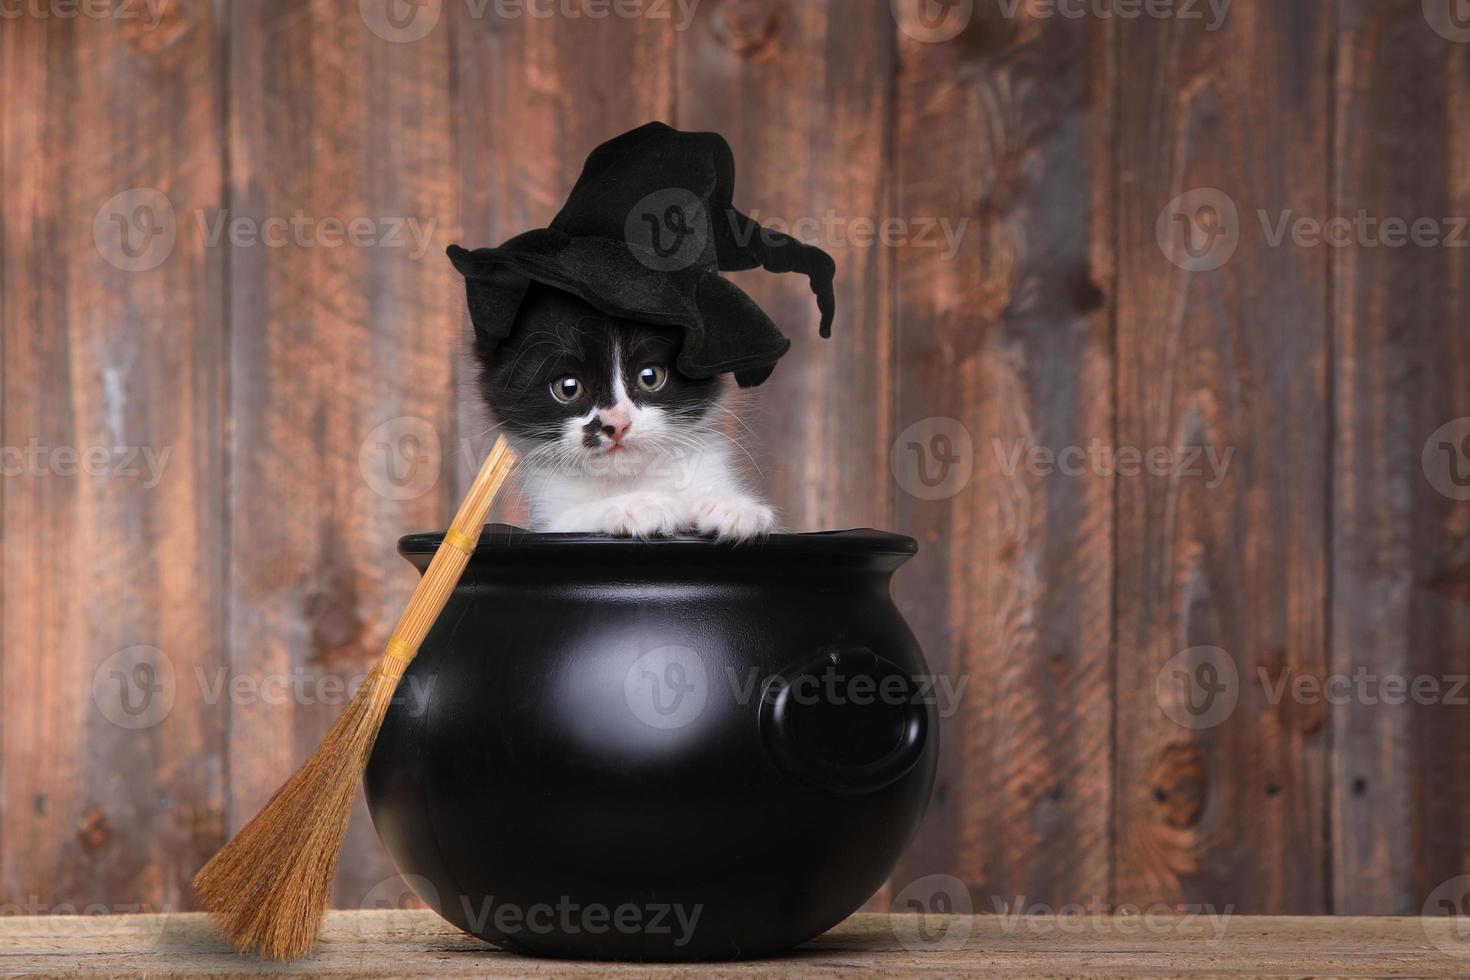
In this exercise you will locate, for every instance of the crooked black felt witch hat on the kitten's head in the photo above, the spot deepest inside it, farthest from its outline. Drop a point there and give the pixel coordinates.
(645, 236)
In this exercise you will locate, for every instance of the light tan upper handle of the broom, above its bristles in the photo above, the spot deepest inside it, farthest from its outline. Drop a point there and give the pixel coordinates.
(445, 571)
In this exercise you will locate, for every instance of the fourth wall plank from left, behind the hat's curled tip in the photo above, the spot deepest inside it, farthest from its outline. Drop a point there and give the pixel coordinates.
(803, 92)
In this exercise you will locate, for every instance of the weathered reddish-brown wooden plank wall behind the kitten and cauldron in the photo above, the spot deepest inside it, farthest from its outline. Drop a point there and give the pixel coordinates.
(1112, 284)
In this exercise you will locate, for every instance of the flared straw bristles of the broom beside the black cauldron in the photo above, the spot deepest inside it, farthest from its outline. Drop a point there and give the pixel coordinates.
(268, 888)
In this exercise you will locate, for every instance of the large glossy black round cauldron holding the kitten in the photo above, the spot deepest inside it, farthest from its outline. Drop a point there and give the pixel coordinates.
(673, 750)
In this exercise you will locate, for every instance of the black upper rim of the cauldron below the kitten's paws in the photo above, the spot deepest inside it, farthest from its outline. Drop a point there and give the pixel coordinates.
(506, 541)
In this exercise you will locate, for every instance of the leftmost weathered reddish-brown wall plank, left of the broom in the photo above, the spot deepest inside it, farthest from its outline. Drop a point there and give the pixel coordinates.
(114, 450)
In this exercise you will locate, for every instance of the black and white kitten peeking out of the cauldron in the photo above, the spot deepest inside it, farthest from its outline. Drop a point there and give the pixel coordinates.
(612, 437)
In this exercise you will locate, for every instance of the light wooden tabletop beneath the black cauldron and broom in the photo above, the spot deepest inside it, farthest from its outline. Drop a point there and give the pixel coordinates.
(418, 944)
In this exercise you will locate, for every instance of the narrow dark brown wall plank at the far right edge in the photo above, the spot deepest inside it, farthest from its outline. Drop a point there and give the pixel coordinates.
(1402, 541)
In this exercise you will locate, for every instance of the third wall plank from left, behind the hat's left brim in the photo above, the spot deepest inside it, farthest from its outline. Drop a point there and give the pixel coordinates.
(534, 96)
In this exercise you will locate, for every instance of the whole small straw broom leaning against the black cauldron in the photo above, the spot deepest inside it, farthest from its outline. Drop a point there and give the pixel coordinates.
(268, 888)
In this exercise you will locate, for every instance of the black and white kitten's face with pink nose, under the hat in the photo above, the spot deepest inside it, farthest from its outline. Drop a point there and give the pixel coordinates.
(592, 393)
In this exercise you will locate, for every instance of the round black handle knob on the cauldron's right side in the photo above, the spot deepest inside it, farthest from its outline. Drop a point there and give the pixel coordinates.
(846, 721)
